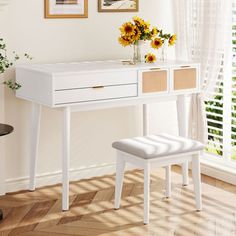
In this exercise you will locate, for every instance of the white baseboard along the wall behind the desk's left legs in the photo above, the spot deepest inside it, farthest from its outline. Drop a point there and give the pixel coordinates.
(17, 184)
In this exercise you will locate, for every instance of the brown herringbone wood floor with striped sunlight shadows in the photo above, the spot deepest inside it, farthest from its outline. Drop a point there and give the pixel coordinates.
(39, 213)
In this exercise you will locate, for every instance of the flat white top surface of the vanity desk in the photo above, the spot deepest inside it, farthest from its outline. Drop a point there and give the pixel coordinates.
(93, 66)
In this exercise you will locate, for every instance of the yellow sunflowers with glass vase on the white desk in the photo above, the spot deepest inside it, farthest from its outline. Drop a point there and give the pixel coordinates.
(132, 32)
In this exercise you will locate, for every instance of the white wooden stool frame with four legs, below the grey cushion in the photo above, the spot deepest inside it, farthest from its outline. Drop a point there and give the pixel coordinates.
(146, 164)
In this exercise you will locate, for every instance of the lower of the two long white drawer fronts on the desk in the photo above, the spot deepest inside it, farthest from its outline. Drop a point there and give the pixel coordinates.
(93, 94)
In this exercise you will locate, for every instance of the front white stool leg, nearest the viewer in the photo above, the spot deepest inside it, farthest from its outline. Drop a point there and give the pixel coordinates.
(146, 193)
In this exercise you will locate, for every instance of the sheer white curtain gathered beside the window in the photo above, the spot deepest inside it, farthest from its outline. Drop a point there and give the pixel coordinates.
(203, 29)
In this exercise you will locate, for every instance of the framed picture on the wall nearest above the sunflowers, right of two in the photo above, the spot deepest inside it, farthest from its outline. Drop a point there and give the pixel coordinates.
(118, 5)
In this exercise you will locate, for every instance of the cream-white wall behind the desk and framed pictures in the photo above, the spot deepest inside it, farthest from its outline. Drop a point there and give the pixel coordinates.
(23, 26)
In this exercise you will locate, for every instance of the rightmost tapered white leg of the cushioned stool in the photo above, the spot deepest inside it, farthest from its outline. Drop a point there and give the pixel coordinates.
(197, 181)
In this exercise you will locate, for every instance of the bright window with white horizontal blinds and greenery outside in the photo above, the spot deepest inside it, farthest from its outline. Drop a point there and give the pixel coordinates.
(221, 111)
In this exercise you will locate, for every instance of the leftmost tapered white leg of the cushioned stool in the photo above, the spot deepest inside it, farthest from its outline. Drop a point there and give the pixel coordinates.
(120, 169)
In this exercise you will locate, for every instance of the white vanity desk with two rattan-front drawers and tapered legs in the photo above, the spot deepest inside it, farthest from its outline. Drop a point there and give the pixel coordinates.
(101, 84)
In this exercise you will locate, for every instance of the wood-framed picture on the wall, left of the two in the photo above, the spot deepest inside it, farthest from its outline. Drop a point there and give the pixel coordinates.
(66, 8)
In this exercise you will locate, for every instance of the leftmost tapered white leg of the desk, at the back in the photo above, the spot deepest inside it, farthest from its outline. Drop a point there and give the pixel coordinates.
(35, 131)
